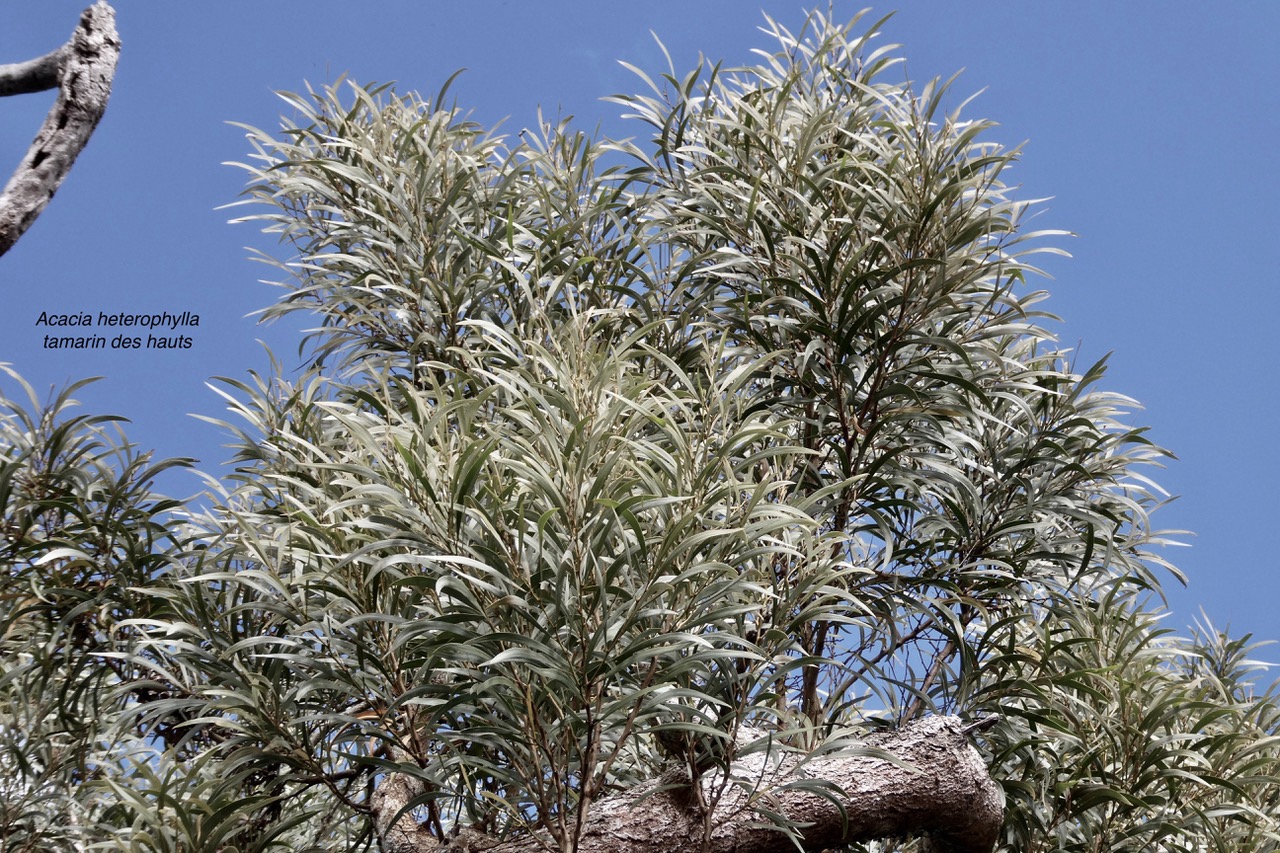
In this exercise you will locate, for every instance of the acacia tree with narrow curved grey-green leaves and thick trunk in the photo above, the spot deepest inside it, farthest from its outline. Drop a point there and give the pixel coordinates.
(720, 491)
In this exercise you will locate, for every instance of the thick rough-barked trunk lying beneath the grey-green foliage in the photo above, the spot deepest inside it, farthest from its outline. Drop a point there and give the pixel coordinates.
(947, 795)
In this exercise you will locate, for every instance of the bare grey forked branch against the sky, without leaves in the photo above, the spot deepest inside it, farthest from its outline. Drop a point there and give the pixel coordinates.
(83, 70)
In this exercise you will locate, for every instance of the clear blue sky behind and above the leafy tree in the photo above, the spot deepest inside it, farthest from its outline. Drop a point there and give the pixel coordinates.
(1153, 126)
